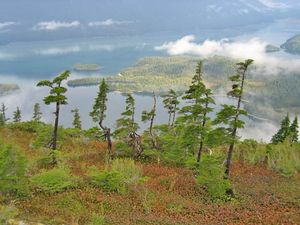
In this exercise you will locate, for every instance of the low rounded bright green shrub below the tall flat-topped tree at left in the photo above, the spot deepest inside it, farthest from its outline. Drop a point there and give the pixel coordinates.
(54, 180)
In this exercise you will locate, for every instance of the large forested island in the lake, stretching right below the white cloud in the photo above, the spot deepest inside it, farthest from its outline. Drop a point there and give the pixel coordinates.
(265, 96)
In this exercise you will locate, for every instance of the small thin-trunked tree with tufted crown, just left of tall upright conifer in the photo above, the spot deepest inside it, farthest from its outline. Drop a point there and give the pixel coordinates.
(171, 103)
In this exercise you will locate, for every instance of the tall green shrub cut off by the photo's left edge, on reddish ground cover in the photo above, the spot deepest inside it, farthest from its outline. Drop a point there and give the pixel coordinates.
(12, 171)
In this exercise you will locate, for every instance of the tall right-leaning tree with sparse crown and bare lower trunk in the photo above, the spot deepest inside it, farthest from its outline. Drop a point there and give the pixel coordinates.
(230, 114)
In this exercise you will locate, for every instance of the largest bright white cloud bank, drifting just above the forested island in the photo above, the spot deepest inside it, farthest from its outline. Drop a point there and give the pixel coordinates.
(253, 48)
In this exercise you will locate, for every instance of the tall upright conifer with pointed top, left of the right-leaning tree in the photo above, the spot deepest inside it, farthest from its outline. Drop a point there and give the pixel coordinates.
(195, 113)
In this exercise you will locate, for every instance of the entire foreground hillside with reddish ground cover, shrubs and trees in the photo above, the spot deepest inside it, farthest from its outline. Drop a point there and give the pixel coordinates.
(192, 170)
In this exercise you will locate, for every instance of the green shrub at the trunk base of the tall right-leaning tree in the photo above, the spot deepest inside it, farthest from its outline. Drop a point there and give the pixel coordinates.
(211, 176)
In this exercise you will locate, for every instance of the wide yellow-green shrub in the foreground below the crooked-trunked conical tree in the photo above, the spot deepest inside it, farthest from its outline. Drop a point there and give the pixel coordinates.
(122, 175)
